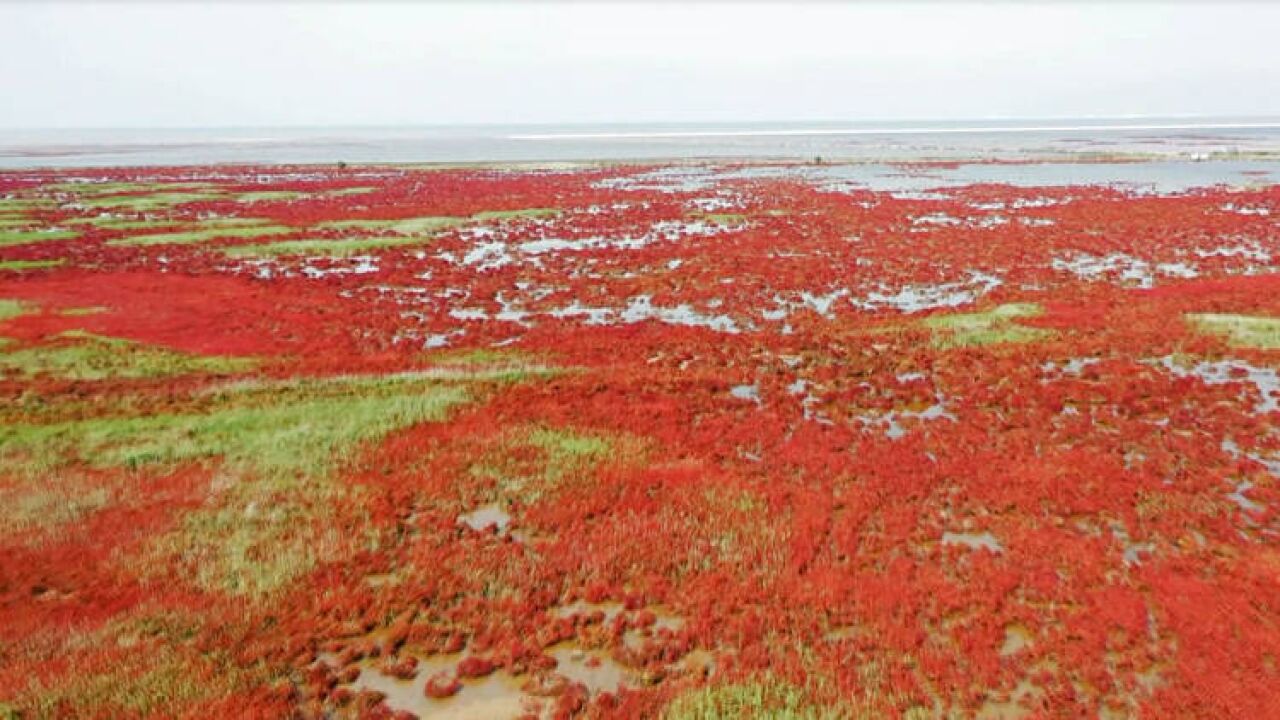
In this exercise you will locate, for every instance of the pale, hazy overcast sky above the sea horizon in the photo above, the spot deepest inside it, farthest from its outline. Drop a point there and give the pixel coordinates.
(328, 63)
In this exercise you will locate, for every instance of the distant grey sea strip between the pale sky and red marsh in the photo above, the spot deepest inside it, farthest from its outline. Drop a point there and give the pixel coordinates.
(1173, 138)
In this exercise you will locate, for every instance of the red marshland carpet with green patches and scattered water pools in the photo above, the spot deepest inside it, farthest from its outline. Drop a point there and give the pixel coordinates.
(372, 443)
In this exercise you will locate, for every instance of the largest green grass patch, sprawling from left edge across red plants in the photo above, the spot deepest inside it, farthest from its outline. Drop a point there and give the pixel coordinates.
(273, 454)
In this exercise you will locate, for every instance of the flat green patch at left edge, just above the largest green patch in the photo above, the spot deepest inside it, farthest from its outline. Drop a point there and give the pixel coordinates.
(83, 357)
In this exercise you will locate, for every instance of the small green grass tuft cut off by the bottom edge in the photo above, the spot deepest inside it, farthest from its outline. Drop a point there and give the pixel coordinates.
(766, 699)
